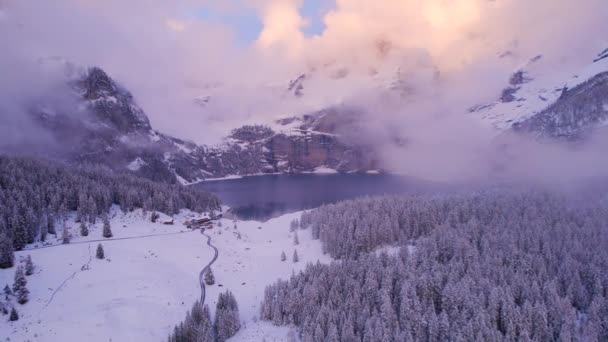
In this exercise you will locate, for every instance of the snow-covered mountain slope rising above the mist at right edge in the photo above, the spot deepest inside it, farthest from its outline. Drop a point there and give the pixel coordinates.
(550, 103)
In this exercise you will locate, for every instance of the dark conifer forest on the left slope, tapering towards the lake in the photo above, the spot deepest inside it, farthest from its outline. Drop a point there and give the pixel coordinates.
(37, 195)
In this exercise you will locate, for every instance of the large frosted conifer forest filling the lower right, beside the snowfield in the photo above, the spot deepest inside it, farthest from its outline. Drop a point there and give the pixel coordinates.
(489, 266)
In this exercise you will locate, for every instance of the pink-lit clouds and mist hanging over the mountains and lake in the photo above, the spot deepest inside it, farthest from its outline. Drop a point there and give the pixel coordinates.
(442, 54)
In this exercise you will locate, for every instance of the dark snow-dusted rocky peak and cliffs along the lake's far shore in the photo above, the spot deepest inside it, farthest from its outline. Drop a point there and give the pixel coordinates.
(108, 127)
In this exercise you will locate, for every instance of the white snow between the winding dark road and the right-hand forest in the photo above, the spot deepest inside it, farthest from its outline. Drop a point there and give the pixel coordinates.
(255, 260)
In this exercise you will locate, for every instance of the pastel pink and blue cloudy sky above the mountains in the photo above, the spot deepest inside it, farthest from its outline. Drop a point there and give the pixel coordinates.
(243, 53)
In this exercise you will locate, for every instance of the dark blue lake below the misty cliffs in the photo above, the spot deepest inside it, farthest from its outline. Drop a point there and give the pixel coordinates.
(263, 197)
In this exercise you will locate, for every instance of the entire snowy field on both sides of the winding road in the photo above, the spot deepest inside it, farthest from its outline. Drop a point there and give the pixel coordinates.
(146, 284)
